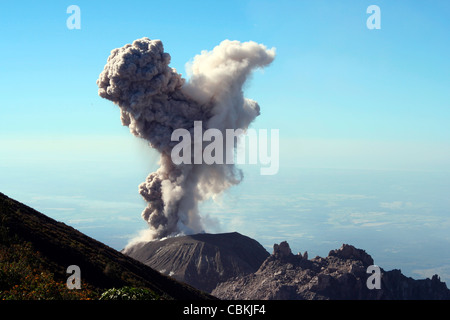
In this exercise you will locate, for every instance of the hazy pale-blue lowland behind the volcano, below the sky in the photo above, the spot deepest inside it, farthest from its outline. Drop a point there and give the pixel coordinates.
(398, 217)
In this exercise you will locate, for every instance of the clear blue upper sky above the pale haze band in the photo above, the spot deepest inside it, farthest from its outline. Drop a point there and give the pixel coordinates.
(333, 79)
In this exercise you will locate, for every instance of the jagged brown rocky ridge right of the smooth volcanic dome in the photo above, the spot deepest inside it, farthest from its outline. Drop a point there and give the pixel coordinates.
(341, 275)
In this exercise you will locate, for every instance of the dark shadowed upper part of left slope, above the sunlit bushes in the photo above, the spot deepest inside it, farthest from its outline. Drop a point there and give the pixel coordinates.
(101, 266)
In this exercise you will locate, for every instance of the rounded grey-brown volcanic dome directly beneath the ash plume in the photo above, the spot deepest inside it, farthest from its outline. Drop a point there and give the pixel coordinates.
(202, 260)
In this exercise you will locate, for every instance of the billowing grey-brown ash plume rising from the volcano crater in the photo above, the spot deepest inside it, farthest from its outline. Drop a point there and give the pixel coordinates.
(155, 100)
